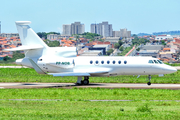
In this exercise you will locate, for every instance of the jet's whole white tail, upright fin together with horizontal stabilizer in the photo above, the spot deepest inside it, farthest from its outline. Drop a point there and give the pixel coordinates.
(32, 45)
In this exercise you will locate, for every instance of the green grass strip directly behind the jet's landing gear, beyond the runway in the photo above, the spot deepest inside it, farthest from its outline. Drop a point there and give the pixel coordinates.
(30, 75)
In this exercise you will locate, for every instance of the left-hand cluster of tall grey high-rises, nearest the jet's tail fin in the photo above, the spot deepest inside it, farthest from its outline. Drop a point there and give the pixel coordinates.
(74, 28)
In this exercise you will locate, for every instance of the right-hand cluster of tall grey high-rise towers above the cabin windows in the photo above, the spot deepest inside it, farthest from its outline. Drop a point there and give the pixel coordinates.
(103, 29)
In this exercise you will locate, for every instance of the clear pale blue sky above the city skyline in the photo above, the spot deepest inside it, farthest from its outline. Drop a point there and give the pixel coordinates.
(138, 16)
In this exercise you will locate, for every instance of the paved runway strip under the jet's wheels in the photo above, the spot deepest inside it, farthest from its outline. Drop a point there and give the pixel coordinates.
(91, 85)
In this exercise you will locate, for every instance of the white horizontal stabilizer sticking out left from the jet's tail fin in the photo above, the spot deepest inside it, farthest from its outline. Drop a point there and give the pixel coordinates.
(24, 47)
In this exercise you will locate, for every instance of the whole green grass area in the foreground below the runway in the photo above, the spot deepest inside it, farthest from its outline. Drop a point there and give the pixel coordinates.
(75, 104)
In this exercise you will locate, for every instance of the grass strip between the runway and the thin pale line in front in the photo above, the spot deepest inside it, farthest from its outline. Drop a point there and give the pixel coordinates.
(90, 93)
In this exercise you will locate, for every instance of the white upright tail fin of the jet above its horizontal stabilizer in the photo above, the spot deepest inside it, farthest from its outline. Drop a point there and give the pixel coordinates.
(27, 35)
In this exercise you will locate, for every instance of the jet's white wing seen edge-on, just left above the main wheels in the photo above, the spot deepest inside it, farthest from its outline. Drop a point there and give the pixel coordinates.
(69, 74)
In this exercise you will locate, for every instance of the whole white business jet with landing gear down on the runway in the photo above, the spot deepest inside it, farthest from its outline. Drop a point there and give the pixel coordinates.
(63, 61)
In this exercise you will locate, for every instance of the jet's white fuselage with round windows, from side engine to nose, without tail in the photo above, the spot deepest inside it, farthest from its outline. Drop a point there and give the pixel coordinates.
(104, 66)
